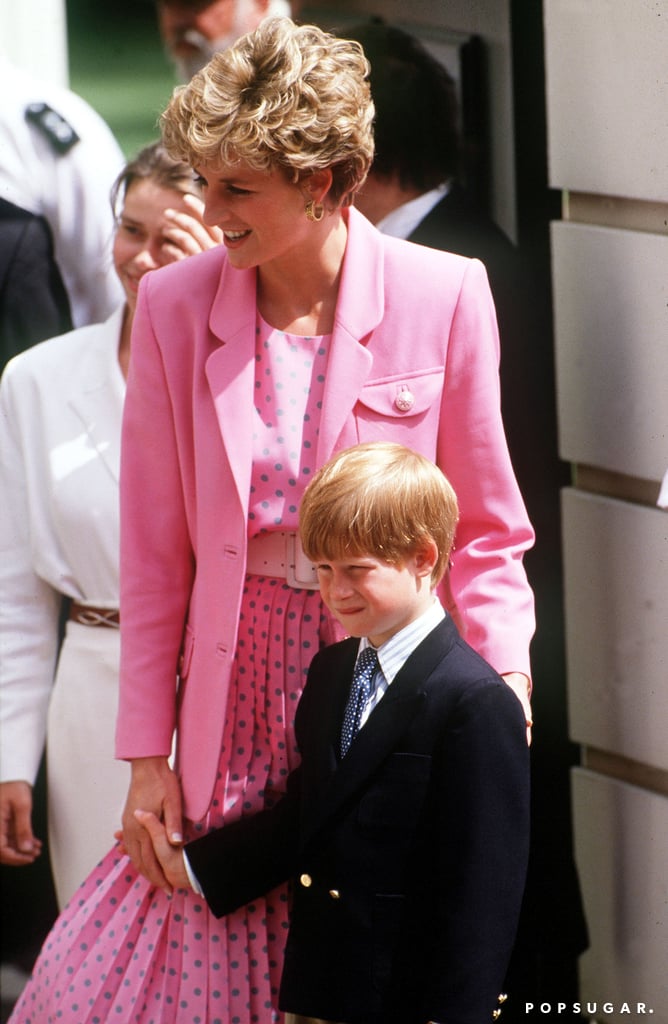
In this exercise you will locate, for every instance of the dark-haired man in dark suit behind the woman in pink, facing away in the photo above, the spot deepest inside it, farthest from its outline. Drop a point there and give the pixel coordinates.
(416, 190)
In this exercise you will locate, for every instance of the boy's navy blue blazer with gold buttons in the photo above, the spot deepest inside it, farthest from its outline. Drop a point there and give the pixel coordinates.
(408, 858)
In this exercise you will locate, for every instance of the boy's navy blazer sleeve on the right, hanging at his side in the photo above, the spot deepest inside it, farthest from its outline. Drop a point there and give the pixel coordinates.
(483, 840)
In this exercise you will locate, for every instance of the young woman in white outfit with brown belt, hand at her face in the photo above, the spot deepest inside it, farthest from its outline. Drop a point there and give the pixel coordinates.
(61, 409)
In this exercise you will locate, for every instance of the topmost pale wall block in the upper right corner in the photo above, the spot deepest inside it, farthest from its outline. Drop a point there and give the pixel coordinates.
(608, 97)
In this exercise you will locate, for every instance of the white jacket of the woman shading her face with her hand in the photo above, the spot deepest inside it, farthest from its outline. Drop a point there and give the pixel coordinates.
(61, 409)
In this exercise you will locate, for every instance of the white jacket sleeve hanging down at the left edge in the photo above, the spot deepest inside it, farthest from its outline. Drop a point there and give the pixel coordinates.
(29, 608)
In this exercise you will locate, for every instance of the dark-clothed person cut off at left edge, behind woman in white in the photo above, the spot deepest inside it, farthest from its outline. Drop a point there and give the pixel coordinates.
(34, 305)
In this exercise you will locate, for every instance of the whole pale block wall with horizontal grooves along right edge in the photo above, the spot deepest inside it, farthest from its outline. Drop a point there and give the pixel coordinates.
(608, 130)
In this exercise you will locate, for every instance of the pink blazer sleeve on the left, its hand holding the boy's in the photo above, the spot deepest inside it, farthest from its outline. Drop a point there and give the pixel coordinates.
(157, 559)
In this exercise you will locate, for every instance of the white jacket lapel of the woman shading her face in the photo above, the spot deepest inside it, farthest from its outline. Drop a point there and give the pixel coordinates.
(97, 397)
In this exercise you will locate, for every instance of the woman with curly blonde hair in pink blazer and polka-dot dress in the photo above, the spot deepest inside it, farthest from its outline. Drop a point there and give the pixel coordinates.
(306, 333)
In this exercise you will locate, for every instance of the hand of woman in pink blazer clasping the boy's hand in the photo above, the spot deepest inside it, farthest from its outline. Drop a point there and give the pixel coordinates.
(154, 788)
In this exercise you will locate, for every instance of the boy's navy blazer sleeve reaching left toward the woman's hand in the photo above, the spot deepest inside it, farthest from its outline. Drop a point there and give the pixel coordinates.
(249, 858)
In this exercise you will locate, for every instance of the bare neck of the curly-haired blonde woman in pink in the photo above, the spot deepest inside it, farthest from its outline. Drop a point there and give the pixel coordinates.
(303, 298)
